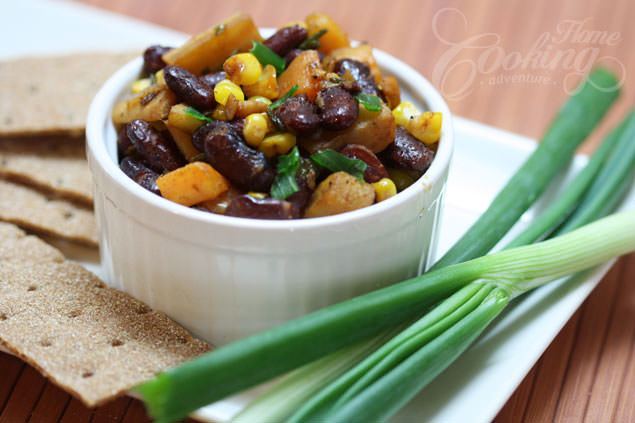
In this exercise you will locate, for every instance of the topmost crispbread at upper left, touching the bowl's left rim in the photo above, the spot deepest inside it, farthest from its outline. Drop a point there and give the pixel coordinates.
(51, 95)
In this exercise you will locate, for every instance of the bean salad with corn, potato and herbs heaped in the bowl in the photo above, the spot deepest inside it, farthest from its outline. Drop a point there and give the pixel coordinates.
(299, 125)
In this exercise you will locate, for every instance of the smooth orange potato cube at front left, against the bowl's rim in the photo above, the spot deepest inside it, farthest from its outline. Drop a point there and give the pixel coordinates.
(192, 184)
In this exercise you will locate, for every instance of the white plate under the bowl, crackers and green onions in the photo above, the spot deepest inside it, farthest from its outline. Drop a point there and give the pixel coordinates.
(477, 385)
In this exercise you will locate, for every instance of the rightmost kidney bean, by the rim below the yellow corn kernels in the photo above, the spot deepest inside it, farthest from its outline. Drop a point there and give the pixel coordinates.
(407, 152)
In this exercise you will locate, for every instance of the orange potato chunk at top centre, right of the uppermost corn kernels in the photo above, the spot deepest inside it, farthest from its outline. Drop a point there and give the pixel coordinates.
(303, 71)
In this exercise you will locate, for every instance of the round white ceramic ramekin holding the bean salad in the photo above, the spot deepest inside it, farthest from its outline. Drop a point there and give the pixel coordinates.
(225, 277)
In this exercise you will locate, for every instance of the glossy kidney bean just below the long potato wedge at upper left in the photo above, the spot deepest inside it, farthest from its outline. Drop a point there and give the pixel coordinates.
(188, 88)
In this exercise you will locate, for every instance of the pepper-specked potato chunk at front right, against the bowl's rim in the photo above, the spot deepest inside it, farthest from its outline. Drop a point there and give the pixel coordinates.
(338, 193)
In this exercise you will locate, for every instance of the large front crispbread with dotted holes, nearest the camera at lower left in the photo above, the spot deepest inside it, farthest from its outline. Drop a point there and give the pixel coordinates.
(94, 341)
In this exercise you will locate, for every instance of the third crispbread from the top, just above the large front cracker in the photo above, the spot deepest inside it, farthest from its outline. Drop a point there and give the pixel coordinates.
(33, 210)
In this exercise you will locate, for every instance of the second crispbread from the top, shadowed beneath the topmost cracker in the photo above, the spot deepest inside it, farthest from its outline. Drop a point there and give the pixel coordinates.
(55, 164)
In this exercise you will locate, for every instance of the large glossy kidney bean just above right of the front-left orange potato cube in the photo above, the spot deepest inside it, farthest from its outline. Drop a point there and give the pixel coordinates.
(247, 169)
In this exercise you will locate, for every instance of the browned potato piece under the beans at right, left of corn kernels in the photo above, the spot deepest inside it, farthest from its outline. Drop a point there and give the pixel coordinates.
(375, 130)
